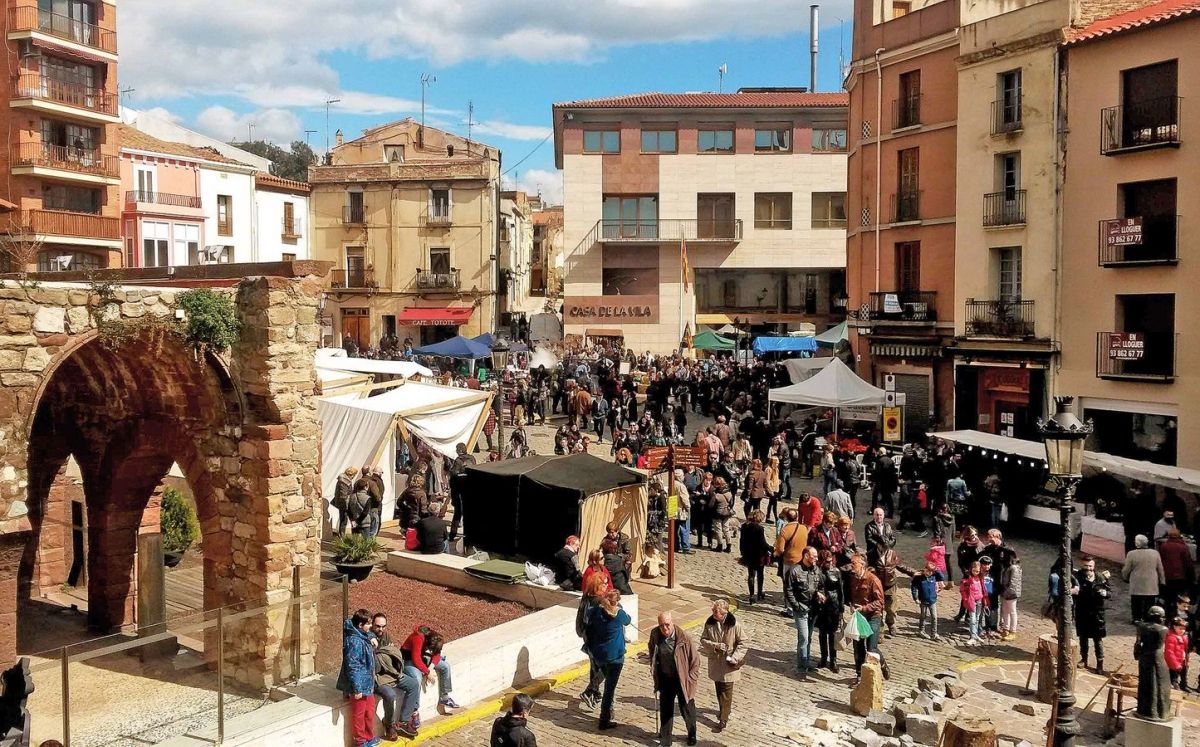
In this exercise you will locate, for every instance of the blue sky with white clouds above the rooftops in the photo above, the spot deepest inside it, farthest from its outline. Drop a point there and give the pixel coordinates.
(265, 69)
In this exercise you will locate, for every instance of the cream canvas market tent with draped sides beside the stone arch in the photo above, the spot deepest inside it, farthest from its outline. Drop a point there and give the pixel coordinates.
(359, 431)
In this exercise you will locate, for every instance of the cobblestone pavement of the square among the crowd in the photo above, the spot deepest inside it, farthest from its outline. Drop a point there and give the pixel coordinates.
(771, 704)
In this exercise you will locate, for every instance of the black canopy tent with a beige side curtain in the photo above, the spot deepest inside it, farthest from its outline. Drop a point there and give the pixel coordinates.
(530, 506)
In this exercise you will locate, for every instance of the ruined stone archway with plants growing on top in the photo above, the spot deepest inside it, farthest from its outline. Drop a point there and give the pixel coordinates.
(242, 427)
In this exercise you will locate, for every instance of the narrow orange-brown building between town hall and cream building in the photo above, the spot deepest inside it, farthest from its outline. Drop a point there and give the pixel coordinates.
(901, 246)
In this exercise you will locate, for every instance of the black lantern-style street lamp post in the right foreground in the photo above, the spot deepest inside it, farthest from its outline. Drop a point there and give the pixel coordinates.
(1065, 435)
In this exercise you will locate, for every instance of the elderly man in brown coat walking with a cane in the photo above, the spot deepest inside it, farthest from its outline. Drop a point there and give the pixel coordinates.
(675, 665)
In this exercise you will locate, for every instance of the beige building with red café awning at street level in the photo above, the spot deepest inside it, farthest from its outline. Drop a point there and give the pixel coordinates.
(409, 216)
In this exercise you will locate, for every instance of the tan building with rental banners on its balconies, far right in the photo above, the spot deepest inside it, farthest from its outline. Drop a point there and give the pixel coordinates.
(1130, 352)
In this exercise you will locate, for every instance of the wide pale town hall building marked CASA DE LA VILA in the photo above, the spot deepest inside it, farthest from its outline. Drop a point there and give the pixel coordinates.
(703, 210)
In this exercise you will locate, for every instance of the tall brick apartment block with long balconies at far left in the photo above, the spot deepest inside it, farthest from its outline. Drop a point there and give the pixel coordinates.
(62, 117)
